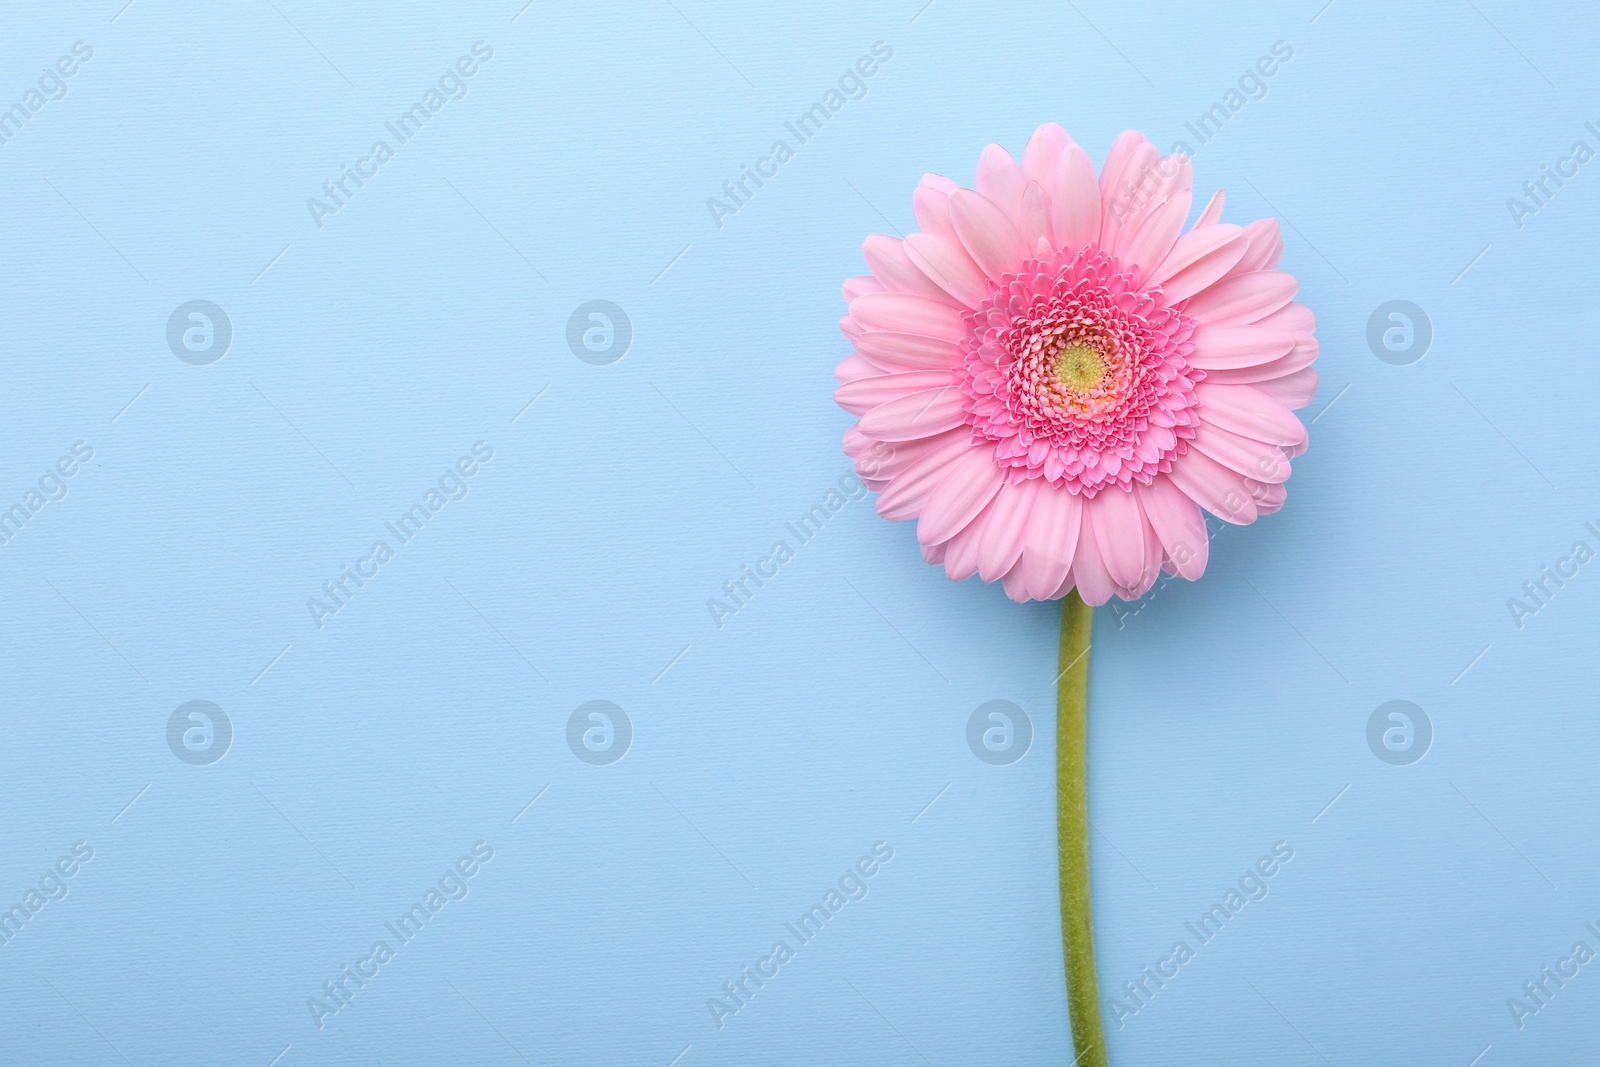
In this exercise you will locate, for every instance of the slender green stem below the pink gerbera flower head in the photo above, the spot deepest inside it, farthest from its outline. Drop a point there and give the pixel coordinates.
(1073, 831)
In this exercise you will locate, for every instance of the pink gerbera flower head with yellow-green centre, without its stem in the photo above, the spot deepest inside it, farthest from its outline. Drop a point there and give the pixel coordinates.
(1055, 380)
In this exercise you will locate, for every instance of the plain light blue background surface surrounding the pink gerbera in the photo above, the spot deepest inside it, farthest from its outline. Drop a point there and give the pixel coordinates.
(826, 716)
